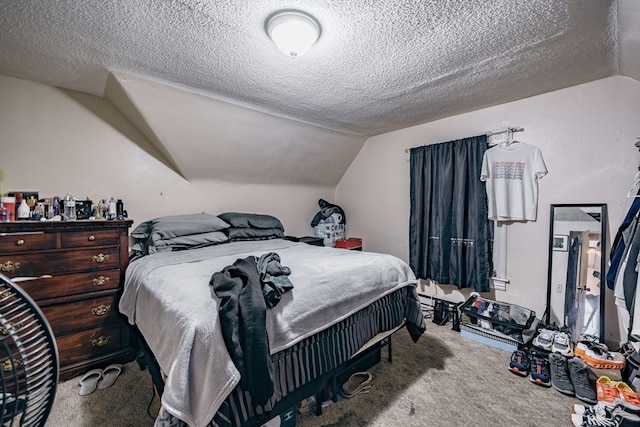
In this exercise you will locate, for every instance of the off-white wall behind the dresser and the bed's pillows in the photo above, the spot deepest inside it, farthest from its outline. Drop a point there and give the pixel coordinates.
(52, 143)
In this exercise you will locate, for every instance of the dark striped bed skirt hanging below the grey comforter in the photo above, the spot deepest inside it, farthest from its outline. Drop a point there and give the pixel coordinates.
(303, 369)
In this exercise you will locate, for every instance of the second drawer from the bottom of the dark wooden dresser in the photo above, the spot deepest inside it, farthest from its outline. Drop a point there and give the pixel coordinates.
(85, 314)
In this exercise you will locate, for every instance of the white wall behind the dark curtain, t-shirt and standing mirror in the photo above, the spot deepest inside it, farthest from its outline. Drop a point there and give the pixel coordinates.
(586, 134)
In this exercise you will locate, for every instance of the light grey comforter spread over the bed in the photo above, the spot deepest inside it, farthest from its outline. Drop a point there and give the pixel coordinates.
(167, 295)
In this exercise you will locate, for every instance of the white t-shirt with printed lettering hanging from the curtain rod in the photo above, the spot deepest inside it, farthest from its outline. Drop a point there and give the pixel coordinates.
(511, 173)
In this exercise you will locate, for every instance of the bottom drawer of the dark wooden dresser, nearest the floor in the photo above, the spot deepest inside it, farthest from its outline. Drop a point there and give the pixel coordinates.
(84, 345)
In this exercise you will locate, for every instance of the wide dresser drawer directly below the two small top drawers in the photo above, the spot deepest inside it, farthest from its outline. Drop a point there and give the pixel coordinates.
(62, 261)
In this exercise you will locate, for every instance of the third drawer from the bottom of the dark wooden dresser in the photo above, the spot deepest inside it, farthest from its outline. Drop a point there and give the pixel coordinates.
(71, 284)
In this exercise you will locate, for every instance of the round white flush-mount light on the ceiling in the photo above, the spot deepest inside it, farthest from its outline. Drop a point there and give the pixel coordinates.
(293, 31)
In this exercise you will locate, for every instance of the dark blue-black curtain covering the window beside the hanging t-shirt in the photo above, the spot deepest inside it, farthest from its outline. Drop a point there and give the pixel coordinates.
(450, 236)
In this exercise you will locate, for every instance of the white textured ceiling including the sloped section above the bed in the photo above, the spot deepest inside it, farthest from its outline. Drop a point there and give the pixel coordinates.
(379, 65)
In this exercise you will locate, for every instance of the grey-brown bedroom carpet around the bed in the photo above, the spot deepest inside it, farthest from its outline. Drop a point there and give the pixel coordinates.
(443, 380)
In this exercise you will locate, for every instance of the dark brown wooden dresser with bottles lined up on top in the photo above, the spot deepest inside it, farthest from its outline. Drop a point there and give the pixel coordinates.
(76, 271)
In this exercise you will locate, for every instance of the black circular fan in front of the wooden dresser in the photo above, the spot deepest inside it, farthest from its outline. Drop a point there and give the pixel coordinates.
(28, 359)
